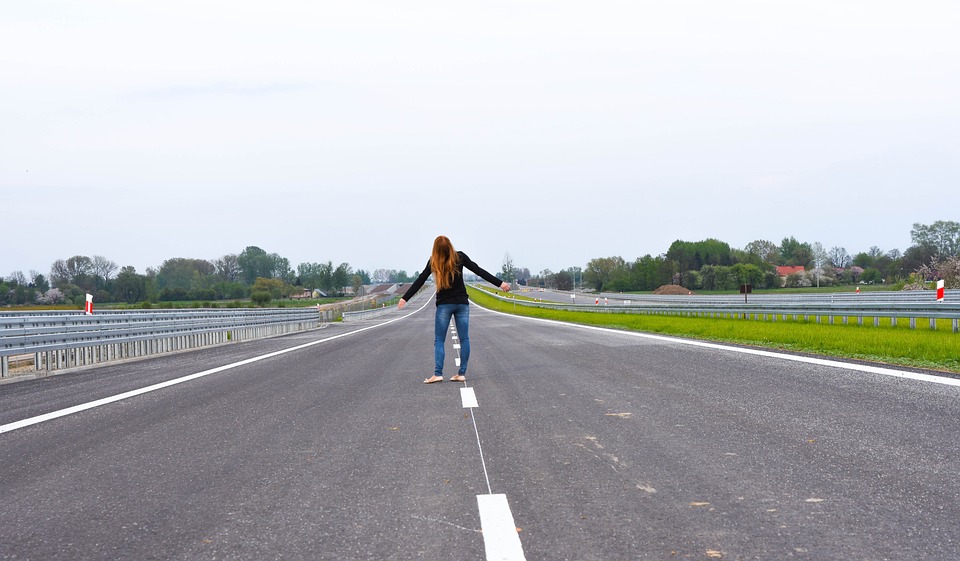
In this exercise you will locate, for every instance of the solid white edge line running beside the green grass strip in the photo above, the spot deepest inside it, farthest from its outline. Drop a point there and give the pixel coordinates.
(770, 354)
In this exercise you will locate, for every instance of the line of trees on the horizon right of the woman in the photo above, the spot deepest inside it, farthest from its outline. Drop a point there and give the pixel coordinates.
(713, 265)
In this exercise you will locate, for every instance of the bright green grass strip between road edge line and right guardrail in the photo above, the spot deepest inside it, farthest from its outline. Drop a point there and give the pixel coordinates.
(896, 345)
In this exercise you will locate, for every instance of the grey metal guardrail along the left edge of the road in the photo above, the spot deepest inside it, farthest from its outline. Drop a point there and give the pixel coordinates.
(65, 339)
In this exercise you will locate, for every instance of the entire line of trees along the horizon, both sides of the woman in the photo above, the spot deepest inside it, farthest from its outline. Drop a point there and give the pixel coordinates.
(703, 265)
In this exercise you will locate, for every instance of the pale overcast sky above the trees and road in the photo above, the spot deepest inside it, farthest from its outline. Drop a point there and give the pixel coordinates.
(554, 131)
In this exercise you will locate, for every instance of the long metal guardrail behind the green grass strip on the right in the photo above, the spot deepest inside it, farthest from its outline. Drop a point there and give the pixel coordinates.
(860, 306)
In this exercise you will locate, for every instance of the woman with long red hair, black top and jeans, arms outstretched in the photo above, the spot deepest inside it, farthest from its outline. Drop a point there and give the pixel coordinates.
(446, 265)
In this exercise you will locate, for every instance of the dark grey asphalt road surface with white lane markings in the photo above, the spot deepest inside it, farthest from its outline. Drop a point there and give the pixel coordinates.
(583, 443)
